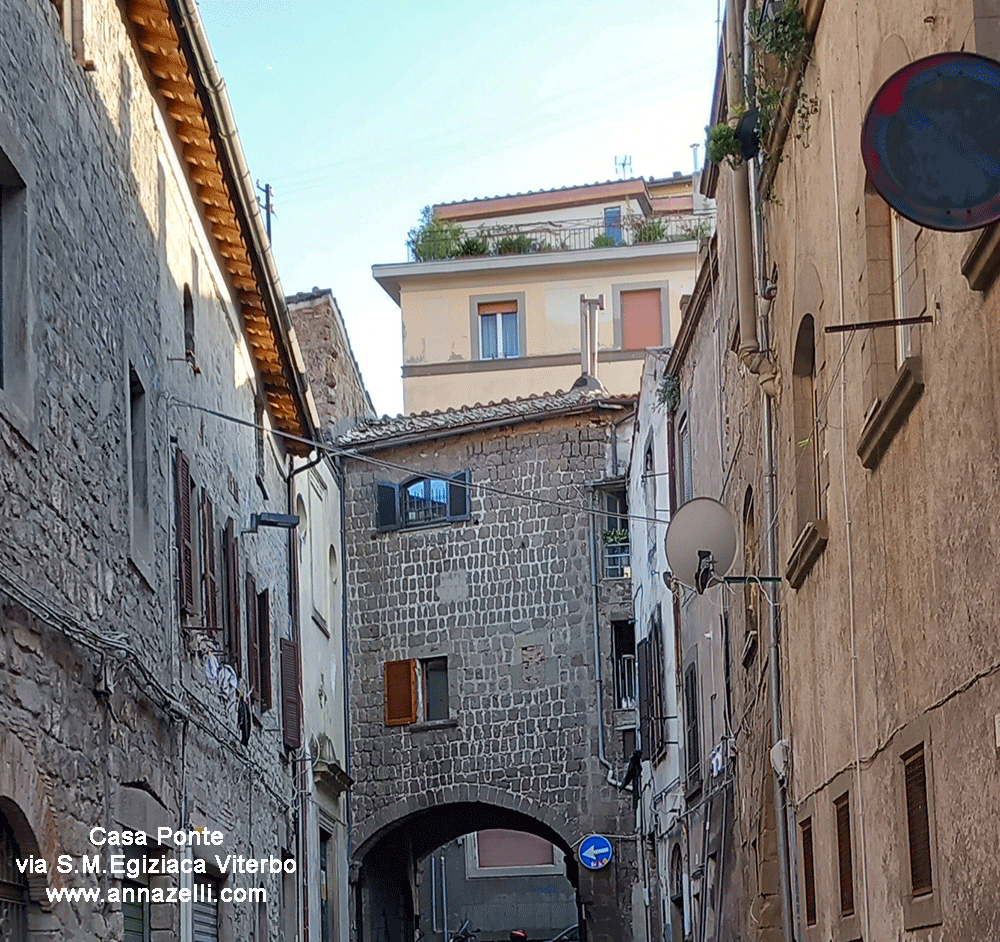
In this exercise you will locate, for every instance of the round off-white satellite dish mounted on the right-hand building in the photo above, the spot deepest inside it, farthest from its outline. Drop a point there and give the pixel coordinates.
(701, 543)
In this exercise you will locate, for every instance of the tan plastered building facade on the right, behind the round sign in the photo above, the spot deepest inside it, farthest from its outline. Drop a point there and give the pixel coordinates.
(862, 691)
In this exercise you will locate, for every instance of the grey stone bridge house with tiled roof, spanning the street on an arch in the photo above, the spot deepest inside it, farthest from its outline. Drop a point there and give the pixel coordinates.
(481, 643)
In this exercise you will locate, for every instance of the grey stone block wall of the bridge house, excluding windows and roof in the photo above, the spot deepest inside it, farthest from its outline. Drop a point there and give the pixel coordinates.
(507, 597)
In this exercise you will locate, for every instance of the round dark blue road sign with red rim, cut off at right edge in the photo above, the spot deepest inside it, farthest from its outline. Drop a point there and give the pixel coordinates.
(931, 141)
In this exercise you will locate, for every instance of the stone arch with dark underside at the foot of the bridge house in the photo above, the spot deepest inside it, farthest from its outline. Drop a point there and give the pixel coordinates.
(384, 863)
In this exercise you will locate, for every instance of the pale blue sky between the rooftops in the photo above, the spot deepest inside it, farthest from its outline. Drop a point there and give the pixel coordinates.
(360, 114)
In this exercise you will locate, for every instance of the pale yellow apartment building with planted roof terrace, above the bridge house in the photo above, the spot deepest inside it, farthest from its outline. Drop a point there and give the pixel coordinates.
(491, 296)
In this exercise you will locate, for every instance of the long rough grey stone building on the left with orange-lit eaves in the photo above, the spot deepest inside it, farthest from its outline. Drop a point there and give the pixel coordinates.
(140, 313)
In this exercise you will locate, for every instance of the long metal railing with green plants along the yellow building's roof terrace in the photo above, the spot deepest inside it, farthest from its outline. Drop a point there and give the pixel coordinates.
(442, 240)
